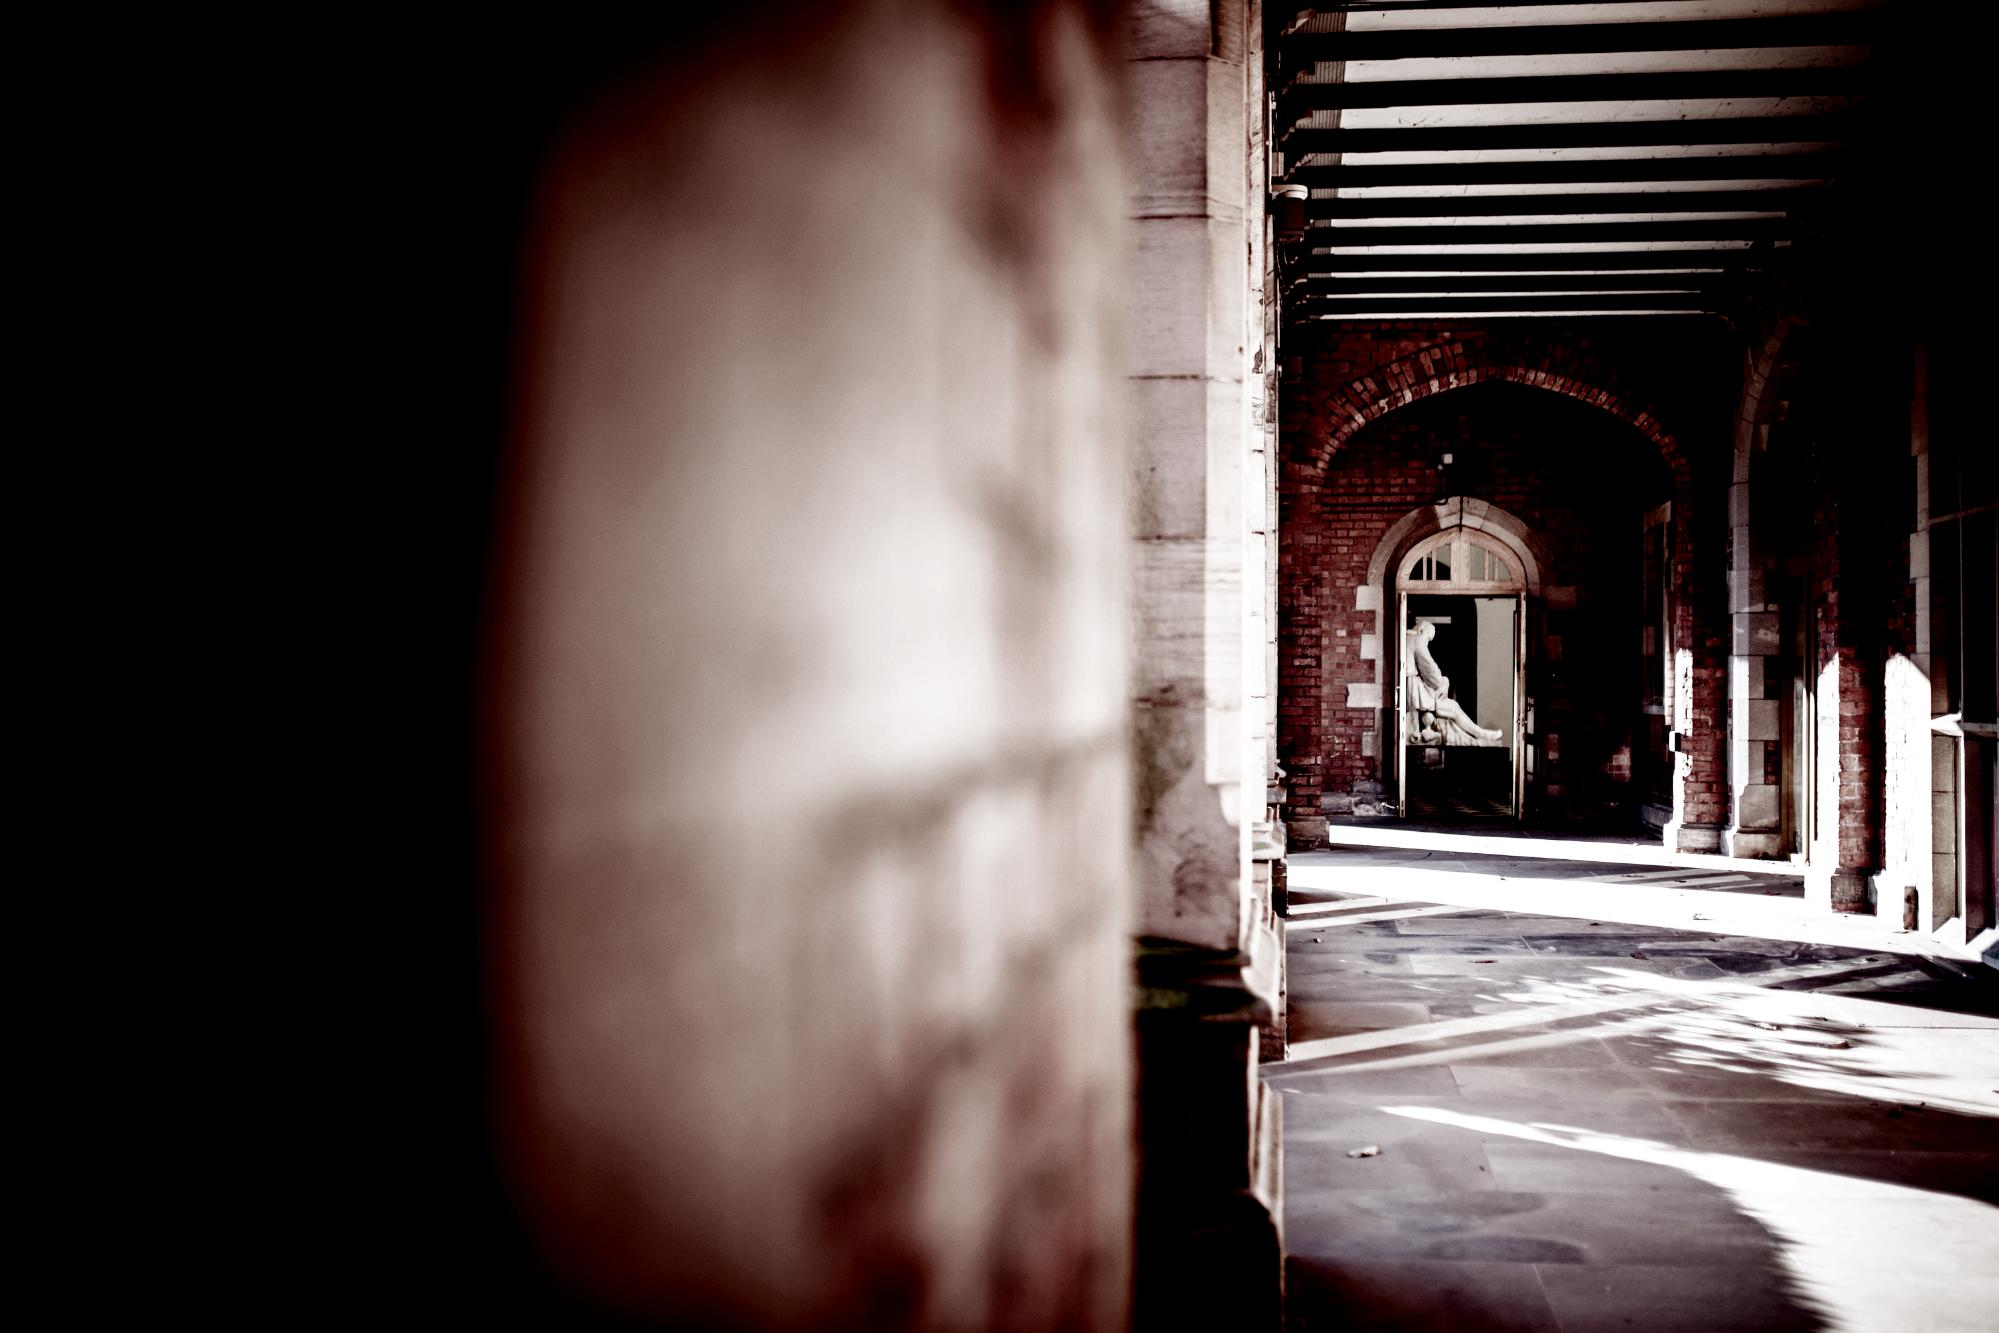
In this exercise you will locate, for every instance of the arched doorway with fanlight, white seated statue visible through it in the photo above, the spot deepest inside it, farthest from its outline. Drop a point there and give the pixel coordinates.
(1460, 678)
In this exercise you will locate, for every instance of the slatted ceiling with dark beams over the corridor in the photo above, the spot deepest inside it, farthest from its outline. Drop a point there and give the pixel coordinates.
(1674, 157)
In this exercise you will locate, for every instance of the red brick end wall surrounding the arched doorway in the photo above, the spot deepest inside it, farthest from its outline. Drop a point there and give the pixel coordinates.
(1366, 413)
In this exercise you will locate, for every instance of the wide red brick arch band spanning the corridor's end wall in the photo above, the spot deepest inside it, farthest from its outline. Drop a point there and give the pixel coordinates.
(1458, 365)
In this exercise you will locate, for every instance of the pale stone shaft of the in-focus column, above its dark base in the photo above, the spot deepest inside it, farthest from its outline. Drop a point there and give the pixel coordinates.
(1188, 533)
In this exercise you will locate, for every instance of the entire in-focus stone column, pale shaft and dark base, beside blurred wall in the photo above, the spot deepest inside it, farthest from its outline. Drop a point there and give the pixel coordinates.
(1210, 960)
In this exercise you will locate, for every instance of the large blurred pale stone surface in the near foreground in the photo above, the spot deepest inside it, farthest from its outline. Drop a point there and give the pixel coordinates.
(813, 808)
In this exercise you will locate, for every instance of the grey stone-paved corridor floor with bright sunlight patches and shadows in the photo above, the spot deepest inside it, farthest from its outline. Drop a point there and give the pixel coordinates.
(1622, 1098)
